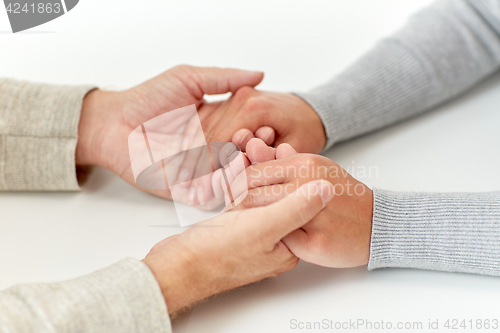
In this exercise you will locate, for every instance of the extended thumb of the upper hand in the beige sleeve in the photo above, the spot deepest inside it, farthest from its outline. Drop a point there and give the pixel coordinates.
(213, 80)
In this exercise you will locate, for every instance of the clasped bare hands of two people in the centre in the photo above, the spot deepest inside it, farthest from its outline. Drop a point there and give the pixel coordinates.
(316, 215)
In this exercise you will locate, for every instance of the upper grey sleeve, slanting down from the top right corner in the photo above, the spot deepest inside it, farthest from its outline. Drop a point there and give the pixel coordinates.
(442, 51)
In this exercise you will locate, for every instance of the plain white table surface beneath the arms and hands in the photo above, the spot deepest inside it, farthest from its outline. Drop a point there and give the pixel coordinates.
(299, 44)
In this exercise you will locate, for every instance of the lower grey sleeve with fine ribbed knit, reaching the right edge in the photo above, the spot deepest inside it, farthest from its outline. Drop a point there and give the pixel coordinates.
(454, 232)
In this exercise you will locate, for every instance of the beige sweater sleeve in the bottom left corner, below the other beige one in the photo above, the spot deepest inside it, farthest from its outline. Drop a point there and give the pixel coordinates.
(122, 298)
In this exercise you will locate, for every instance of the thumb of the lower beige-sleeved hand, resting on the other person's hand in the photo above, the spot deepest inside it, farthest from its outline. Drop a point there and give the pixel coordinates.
(277, 220)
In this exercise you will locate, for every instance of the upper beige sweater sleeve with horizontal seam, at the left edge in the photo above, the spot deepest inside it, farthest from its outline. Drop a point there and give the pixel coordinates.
(38, 135)
